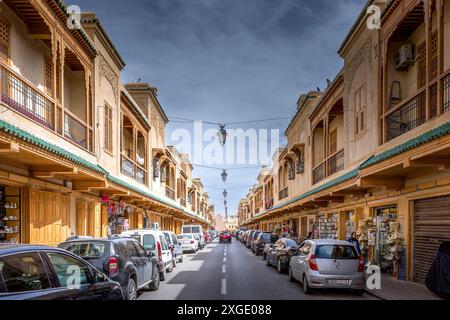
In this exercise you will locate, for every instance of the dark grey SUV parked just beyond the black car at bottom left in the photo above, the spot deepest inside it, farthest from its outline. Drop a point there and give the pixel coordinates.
(123, 259)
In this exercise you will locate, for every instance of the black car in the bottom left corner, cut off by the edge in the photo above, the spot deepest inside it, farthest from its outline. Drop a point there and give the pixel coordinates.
(45, 273)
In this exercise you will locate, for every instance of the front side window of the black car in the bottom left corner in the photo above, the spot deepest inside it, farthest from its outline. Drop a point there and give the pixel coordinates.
(67, 268)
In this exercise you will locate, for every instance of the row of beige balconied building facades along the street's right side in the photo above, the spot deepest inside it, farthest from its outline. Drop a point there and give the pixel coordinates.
(371, 153)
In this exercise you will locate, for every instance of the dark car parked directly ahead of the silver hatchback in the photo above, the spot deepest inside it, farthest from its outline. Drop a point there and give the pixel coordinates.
(280, 253)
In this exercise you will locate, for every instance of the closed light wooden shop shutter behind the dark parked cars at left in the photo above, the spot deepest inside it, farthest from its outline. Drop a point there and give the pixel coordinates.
(49, 218)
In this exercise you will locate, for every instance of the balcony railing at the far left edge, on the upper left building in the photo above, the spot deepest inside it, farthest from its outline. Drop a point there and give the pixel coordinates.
(23, 98)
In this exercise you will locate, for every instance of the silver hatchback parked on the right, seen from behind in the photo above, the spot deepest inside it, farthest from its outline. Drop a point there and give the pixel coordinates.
(321, 264)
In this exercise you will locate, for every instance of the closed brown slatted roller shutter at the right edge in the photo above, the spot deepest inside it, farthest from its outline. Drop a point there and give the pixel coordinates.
(431, 228)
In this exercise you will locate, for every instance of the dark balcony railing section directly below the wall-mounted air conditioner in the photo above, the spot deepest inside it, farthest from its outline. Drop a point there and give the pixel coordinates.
(407, 117)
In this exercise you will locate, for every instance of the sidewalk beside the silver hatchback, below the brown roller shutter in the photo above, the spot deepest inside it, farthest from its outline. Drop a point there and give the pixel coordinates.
(393, 289)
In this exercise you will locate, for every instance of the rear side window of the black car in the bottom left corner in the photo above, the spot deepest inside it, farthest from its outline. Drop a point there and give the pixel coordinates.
(23, 272)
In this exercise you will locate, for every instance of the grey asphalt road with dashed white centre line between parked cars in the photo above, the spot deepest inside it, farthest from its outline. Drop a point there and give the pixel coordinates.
(232, 272)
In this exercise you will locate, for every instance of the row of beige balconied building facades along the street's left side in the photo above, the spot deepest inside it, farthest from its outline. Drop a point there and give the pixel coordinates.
(80, 152)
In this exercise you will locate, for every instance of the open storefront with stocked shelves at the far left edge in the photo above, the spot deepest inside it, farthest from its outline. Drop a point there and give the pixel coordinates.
(10, 215)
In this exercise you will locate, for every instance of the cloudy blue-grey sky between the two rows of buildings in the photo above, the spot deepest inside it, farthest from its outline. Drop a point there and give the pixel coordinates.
(227, 61)
